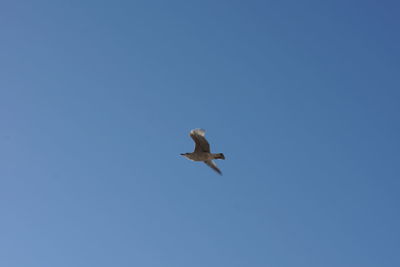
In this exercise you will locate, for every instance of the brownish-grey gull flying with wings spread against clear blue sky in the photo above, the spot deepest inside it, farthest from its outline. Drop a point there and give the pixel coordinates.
(202, 150)
